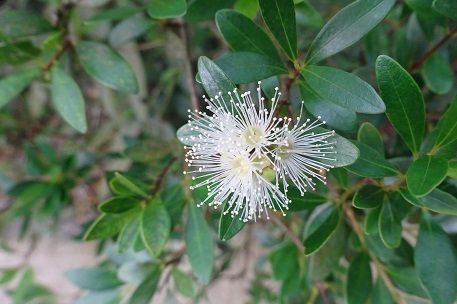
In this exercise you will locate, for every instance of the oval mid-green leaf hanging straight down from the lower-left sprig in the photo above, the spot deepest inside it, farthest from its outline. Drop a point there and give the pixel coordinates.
(155, 226)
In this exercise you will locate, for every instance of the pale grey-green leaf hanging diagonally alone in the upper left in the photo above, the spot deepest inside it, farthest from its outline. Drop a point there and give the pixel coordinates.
(68, 99)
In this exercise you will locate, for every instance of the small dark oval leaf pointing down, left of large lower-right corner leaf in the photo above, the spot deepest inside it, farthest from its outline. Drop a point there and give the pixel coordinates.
(389, 224)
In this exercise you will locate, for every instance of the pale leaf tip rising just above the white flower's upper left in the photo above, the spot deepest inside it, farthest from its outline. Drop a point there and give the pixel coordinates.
(213, 78)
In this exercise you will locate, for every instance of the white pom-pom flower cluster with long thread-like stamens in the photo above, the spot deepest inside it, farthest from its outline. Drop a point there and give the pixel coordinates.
(246, 156)
